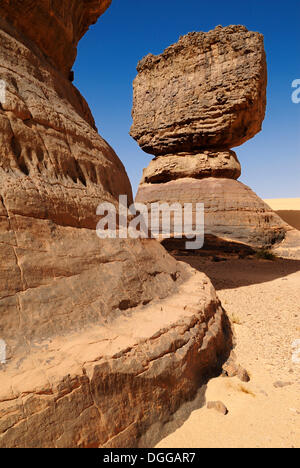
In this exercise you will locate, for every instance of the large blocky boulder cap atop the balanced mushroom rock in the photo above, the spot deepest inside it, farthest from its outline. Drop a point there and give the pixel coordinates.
(208, 91)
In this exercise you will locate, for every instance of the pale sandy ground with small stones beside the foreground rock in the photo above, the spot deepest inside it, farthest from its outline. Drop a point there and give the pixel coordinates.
(262, 299)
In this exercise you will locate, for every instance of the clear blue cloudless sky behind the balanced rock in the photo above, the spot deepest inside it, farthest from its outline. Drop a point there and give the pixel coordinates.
(130, 29)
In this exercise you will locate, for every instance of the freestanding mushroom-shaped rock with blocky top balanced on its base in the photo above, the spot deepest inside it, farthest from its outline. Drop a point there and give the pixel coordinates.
(192, 104)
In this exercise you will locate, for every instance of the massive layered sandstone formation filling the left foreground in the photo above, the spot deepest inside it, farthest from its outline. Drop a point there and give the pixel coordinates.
(99, 339)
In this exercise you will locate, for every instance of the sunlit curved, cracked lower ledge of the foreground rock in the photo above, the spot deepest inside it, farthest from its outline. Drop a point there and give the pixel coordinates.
(105, 386)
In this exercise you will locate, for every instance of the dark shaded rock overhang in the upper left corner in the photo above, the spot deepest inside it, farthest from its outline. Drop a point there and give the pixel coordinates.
(54, 26)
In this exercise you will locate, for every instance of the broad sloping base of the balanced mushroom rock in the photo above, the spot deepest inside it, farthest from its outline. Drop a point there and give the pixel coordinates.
(232, 210)
